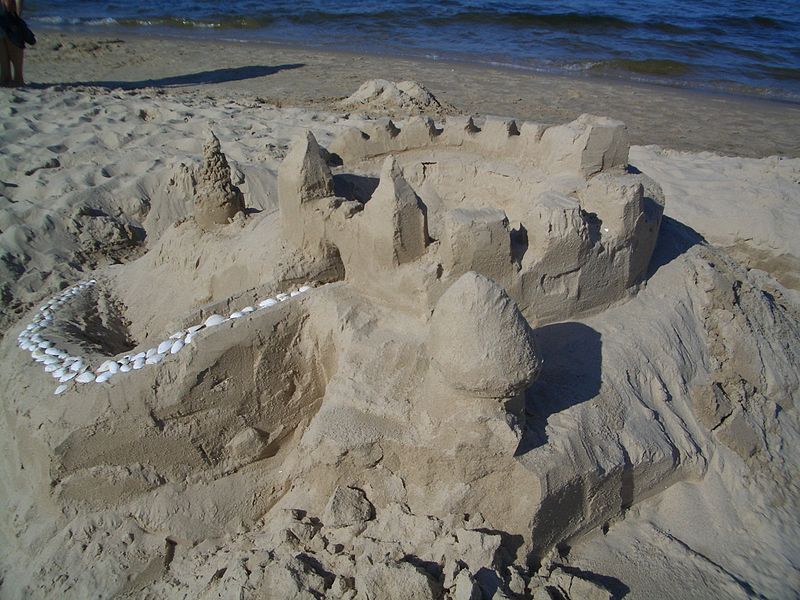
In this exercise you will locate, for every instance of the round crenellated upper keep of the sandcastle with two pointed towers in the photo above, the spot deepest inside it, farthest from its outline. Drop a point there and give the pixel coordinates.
(549, 213)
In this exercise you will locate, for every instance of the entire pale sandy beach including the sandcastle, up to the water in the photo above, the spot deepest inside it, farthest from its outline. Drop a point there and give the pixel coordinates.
(602, 407)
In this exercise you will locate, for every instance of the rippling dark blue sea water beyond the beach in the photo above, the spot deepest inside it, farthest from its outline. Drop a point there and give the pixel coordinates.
(741, 46)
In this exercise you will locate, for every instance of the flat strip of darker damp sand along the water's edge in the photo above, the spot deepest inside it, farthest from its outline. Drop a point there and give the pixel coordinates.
(289, 75)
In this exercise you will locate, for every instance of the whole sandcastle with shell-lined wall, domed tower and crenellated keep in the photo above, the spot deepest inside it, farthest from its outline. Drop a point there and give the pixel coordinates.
(432, 251)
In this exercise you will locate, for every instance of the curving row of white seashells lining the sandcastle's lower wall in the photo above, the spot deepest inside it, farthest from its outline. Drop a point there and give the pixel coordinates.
(72, 370)
